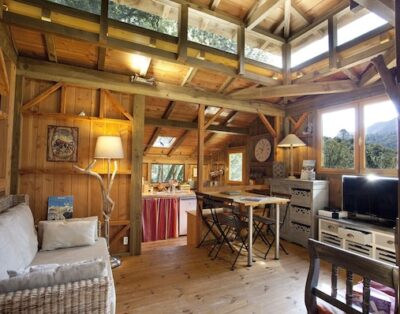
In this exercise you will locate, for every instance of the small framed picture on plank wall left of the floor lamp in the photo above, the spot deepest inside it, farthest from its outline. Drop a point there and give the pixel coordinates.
(62, 143)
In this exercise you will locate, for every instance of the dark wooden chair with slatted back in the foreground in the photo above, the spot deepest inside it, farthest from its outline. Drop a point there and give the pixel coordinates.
(367, 268)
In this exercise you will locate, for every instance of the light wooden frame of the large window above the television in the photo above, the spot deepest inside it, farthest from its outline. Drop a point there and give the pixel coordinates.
(359, 140)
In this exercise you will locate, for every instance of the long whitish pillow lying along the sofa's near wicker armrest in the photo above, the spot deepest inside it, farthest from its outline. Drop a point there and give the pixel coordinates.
(59, 275)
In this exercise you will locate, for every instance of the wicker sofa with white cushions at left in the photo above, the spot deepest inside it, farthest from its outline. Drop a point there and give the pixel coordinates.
(19, 249)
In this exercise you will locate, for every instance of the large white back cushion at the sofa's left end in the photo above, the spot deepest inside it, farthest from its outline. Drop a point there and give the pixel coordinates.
(18, 239)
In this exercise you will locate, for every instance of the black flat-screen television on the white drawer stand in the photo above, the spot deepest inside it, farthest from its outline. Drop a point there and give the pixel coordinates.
(373, 199)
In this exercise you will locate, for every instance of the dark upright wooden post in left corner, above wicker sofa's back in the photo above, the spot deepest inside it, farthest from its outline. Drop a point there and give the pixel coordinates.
(19, 98)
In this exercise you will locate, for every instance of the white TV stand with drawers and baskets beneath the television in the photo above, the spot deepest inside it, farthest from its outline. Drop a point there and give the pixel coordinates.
(359, 237)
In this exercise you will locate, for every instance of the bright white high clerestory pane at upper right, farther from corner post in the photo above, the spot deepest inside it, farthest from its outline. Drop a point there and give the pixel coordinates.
(359, 27)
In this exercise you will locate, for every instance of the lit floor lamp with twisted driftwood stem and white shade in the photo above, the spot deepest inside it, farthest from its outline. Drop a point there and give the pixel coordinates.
(108, 148)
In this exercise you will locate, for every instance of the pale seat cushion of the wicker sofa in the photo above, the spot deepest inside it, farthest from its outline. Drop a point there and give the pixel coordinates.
(80, 253)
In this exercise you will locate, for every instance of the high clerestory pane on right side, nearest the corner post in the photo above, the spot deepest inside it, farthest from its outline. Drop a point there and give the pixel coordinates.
(312, 46)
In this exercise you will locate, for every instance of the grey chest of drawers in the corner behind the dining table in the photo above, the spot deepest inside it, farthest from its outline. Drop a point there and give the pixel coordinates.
(307, 197)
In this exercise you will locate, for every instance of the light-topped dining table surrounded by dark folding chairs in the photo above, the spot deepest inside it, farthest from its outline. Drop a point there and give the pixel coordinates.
(250, 201)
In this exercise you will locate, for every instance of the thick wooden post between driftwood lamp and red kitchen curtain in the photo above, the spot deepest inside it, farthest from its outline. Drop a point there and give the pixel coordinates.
(136, 203)
